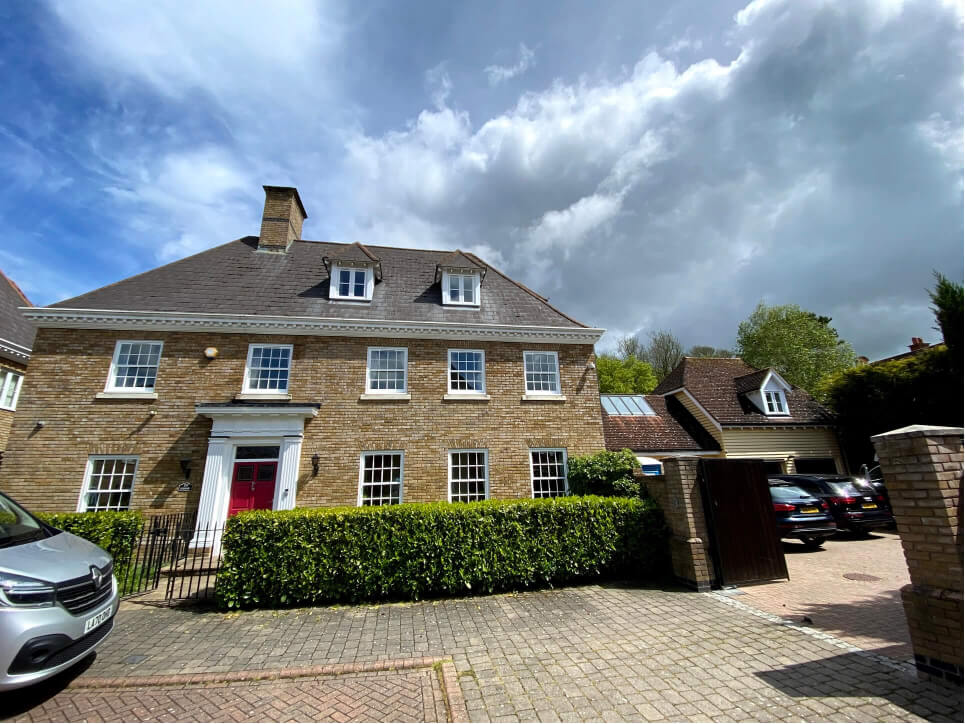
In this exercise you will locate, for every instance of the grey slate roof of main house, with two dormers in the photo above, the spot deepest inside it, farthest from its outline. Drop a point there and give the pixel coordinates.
(234, 278)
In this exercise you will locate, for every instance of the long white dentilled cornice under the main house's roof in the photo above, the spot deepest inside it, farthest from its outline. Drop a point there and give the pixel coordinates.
(308, 326)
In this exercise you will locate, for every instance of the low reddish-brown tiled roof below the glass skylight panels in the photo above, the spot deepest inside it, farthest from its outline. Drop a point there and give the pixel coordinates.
(672, 428)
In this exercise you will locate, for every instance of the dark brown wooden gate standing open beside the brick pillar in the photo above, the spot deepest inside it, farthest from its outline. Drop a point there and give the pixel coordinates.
(740, 521)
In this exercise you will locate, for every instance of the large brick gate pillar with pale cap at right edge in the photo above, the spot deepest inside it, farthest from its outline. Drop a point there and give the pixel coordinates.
(922, 467)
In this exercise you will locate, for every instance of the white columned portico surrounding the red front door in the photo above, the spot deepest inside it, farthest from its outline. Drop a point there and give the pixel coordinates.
(274, 431)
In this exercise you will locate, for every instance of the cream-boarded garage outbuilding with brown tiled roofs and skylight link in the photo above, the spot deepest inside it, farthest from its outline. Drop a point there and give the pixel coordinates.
(724, 408)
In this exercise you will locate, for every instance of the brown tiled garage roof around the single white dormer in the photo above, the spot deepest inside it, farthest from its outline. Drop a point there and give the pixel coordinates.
(720, 385)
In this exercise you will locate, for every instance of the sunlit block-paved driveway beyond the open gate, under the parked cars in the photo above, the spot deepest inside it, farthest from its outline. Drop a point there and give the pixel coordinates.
(849, 589)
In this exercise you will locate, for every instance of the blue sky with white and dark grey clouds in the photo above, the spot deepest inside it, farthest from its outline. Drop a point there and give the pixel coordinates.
(645, 165)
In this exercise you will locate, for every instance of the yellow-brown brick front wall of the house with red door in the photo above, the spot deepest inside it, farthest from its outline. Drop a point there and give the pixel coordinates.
(44, 467)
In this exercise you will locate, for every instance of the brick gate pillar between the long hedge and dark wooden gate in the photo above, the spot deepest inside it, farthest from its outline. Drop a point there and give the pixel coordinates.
(678, 495)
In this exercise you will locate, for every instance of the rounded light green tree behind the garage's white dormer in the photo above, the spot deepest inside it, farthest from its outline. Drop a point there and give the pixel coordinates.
(799, 344)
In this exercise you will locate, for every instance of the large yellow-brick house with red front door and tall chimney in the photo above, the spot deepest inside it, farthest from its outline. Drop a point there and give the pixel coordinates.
(271, 372)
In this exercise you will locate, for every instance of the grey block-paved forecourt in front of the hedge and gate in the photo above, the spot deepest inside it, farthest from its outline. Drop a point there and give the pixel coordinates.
(607, 653)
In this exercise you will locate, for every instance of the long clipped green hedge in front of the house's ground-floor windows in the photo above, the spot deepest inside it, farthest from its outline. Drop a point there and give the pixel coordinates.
(418, 550)
